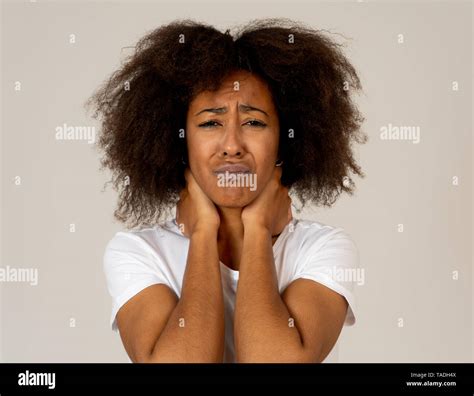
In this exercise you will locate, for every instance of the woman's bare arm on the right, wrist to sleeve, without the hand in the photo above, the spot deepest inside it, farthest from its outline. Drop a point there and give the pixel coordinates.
(302, 325)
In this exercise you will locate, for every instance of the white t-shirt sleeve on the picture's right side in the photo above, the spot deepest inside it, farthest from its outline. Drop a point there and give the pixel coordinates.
(333, 261)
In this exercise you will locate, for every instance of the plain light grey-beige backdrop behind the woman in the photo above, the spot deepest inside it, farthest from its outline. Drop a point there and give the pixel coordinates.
(407, 275)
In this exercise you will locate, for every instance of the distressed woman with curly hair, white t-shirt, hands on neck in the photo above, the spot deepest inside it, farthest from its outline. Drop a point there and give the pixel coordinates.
(221, 127)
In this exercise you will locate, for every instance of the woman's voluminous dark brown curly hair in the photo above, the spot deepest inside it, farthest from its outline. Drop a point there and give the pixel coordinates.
(143, 106)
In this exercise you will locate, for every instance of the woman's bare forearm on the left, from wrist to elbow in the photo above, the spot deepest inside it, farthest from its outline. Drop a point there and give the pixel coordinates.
(195, 329)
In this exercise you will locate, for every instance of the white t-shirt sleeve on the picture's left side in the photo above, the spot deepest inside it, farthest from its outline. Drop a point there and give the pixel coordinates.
(129, 266)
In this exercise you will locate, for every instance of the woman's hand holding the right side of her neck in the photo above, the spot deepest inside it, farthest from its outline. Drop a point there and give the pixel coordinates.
(271, 209)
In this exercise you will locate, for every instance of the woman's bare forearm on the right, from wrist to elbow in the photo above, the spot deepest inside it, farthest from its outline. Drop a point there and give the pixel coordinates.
(263, 328)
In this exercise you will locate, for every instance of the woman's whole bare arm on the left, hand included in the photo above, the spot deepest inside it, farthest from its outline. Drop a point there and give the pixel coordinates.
(157, 327)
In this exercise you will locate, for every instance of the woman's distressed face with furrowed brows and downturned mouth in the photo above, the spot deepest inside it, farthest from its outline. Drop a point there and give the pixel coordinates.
(234, 129)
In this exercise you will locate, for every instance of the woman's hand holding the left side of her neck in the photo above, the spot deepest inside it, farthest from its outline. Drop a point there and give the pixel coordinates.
(194, 210)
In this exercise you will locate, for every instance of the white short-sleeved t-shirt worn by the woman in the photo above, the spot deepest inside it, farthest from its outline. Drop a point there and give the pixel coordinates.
(136, 259)
